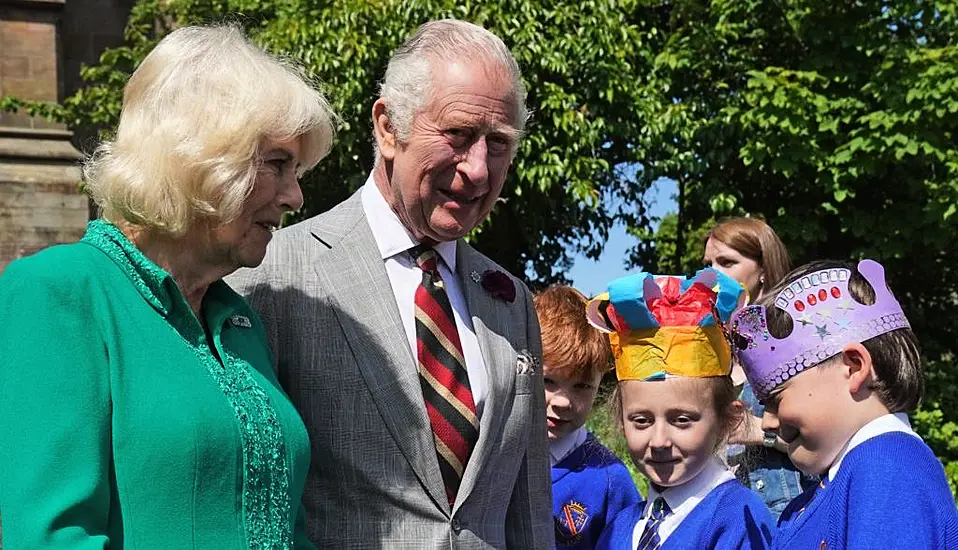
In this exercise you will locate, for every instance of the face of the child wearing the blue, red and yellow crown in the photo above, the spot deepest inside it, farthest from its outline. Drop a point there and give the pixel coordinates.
(671, 427)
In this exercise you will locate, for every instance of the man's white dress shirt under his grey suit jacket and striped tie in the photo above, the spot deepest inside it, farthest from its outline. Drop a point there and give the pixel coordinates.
(393, 241)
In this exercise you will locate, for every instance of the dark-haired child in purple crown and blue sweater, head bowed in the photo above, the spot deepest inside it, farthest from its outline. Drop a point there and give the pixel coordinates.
(833, 358)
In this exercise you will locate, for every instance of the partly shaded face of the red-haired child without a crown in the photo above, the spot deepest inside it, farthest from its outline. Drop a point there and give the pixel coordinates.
(569, 400)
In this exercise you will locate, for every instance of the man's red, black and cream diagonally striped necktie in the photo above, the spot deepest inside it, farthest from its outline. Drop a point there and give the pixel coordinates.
(443, 375)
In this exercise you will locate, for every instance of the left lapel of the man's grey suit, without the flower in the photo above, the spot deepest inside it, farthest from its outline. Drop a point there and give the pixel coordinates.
(362, 298)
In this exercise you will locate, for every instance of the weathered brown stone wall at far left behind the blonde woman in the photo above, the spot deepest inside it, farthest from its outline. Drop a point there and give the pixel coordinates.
(40, 203)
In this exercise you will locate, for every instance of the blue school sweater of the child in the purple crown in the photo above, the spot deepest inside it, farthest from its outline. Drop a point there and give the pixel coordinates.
(890, 492)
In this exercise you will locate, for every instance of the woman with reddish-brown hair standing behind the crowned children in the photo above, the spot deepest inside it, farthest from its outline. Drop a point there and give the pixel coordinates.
(748, 250)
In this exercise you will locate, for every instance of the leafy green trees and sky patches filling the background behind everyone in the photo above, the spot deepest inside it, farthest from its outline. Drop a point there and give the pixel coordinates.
(834, 121)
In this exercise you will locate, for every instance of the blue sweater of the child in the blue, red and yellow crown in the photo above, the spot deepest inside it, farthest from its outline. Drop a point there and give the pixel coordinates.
(731, 517)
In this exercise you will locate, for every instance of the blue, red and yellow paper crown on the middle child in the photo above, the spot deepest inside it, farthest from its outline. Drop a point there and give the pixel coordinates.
(663, 325)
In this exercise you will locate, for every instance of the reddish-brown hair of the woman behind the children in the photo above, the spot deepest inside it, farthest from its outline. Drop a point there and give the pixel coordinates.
(754, 239)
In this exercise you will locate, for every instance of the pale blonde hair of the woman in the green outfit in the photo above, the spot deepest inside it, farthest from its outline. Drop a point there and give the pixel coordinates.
(195, 113)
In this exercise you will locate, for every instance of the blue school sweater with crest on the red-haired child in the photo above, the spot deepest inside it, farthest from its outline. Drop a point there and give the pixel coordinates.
(589, 487)
